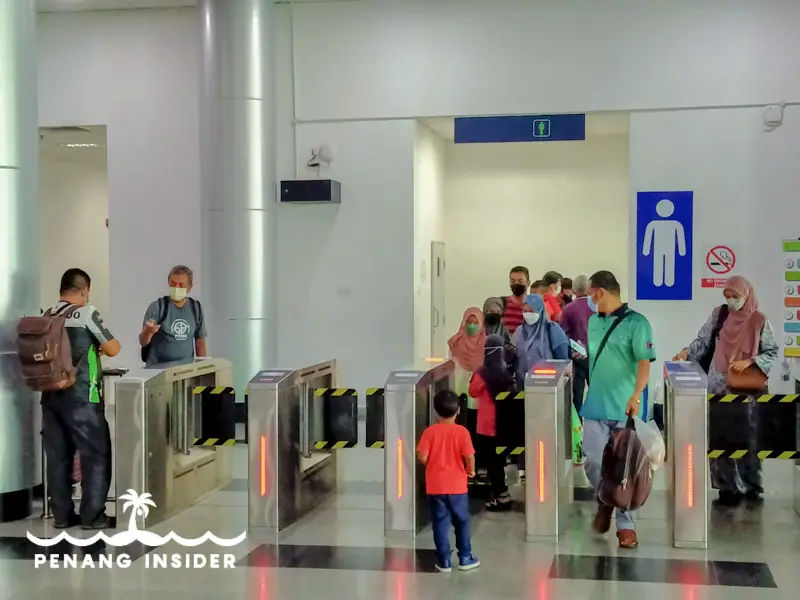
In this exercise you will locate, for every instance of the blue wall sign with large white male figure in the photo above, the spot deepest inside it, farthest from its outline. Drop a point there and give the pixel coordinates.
(664, 223)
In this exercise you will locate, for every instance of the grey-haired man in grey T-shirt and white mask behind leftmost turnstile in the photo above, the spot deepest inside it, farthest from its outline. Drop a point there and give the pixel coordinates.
(174, 328)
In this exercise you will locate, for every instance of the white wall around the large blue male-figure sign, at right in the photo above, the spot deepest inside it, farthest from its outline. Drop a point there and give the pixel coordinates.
(745, 183)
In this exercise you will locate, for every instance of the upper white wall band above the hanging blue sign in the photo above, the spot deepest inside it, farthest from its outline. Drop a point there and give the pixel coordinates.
(459, 57)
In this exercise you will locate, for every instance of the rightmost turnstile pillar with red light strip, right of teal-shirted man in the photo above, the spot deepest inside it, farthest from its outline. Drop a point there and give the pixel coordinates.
(686, 434)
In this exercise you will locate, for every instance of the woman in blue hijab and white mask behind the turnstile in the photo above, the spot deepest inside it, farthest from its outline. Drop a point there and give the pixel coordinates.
(538, 338)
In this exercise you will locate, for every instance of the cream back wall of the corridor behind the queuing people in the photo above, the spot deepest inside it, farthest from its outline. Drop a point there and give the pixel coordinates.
(560, 206)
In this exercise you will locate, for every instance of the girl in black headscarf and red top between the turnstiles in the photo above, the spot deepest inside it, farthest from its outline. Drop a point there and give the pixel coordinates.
(492, 378)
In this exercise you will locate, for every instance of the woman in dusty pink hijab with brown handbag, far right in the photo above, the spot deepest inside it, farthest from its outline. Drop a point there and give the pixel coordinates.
(735, 339)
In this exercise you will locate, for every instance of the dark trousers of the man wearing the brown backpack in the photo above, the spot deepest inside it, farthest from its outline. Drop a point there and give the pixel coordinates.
(69, 426)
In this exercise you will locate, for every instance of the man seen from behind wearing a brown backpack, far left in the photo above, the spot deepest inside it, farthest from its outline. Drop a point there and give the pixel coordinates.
(60, 354)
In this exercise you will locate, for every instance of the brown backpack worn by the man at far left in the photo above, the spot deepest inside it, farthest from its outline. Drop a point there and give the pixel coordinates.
(45, 352)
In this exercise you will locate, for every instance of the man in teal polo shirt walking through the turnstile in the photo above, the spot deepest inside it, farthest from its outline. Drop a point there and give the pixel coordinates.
(620, 353)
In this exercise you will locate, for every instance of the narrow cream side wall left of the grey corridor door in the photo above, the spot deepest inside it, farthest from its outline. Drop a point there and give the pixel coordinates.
(429, 182)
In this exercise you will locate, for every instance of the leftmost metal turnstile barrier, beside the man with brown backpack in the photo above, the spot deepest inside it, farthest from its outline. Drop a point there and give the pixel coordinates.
(157, 418)
